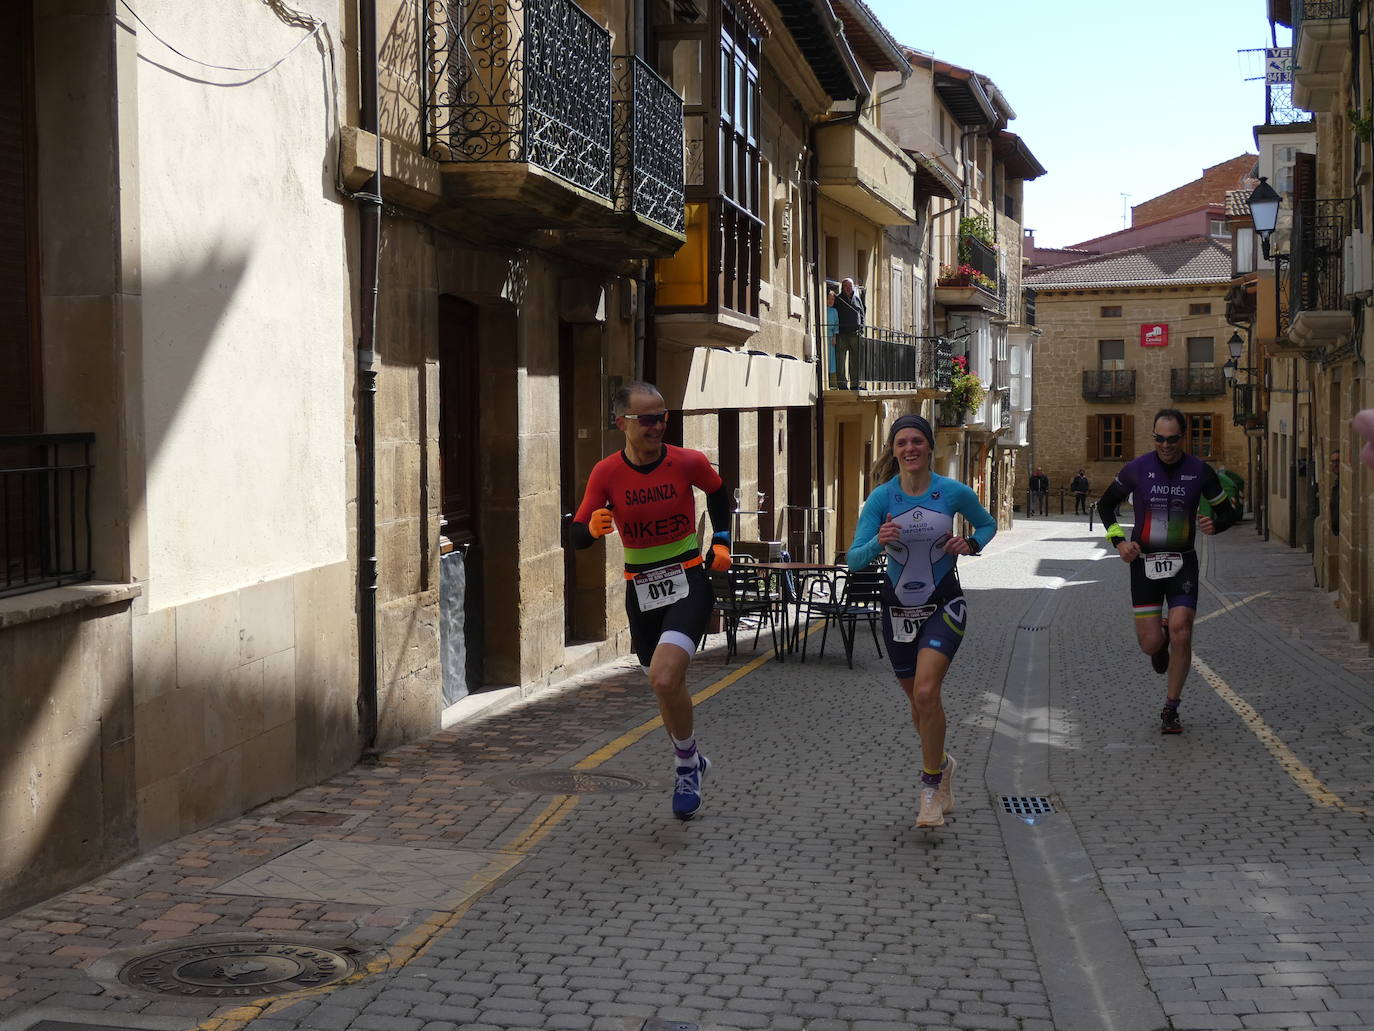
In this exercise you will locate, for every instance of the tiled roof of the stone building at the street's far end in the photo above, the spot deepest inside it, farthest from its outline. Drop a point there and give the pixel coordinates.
(1199, 260)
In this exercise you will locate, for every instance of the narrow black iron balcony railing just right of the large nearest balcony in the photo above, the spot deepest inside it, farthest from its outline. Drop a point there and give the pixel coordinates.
(649, 145)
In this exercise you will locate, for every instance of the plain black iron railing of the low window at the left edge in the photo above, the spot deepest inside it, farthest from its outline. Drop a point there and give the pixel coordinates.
(45, 511)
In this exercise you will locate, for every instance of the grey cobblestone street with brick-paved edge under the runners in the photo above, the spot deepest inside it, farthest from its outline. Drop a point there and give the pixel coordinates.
(1222, 879)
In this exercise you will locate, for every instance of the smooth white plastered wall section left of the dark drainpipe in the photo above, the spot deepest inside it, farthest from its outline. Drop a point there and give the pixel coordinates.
(245, 302)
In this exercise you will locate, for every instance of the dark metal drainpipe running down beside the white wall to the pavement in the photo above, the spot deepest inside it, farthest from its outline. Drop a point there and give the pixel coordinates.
(370, 244)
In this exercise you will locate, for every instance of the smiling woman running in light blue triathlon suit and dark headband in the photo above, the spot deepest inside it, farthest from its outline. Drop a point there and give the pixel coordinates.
(910, 518)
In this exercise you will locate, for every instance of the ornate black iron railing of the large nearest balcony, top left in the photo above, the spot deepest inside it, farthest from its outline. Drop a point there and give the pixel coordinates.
(521, 82)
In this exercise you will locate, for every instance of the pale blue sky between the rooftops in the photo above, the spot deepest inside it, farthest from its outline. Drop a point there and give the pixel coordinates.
(1112, 98)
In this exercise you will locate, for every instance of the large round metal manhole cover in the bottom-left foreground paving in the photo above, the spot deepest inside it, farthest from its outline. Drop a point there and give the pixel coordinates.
(237, 970)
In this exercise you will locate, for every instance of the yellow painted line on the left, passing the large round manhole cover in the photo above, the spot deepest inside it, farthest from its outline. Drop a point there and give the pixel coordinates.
(425, 934)
